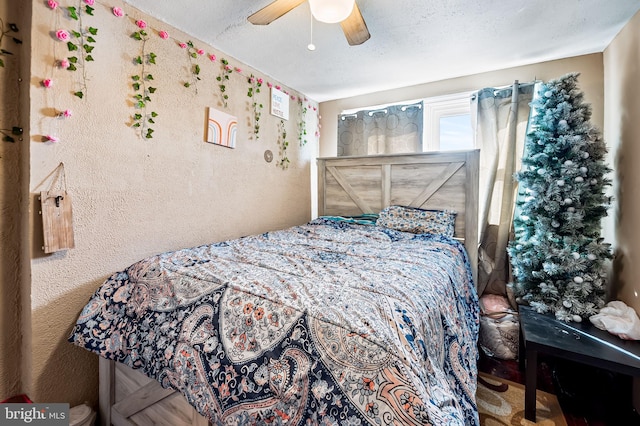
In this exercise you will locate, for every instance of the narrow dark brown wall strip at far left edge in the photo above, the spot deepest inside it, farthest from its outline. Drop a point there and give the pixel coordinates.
(14, 77)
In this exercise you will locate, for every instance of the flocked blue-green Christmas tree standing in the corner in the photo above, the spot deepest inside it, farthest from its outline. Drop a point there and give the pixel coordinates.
(558, 257)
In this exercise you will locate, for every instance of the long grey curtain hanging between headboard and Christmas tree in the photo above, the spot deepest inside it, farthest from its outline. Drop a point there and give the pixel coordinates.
(499, 118)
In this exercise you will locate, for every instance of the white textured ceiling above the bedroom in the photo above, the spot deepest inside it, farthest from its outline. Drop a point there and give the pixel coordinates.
(412, 41)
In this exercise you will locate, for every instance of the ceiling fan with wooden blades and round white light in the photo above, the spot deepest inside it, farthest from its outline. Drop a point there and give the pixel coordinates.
(331, 11)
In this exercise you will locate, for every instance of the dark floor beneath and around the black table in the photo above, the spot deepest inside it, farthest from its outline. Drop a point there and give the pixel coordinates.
(588, 396)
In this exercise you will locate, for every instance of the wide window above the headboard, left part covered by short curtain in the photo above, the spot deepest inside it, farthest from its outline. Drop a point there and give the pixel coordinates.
(434, 124)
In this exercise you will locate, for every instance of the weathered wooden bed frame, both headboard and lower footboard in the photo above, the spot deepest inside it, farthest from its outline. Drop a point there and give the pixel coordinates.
(346, 186)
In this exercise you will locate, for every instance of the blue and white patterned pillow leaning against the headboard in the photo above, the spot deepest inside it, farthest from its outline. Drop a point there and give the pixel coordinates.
(418, 221)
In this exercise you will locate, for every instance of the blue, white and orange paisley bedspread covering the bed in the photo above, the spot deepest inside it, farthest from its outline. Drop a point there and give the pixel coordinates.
(326, 323)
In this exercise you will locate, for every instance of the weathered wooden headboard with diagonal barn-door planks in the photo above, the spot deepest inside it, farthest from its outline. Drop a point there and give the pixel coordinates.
(430, 180)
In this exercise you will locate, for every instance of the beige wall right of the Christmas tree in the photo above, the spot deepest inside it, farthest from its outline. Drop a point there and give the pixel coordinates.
(622, 129)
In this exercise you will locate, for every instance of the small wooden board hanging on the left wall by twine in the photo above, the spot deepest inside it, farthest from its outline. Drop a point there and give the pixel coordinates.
(57, 217)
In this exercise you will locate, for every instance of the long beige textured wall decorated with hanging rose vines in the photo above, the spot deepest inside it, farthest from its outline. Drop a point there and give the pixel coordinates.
(134, 197)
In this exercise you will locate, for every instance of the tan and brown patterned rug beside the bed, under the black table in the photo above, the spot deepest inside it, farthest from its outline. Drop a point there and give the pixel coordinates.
(501, 402)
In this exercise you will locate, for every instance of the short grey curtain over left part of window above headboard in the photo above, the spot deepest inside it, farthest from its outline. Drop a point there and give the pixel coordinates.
(388, 130)
